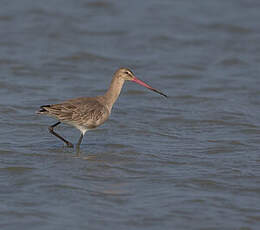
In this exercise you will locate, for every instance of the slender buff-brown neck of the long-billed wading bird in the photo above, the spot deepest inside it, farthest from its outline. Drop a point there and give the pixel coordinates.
(113, 91)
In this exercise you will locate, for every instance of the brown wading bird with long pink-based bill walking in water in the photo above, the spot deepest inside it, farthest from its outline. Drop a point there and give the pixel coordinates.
(86, 113)
